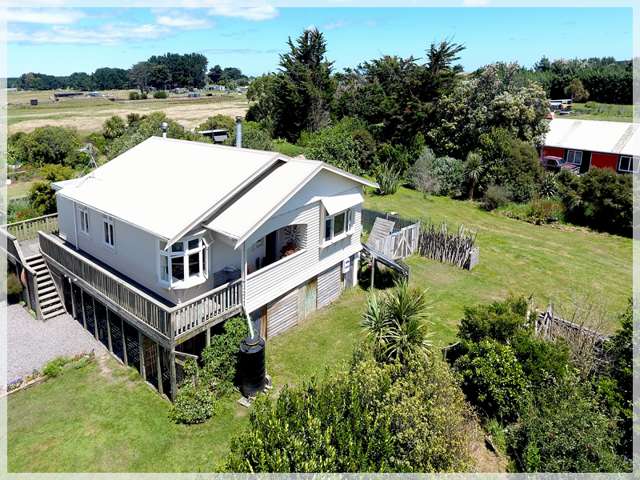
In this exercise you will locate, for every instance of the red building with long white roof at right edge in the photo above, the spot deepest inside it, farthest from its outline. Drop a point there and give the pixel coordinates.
(585, 144)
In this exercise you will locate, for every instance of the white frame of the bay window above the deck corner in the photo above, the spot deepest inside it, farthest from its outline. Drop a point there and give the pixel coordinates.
(165, 277)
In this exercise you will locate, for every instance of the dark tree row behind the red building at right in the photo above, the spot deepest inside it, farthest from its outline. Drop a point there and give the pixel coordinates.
(605, 79)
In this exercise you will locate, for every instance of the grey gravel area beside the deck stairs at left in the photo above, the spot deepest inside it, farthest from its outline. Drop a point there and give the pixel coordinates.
(32, 343)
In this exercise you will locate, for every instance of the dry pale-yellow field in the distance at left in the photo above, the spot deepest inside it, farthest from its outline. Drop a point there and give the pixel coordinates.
(88, 113)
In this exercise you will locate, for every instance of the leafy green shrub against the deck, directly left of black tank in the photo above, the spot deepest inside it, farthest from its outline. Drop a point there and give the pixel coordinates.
(220, 358)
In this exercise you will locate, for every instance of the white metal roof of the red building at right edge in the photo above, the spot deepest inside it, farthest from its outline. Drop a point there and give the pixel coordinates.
(594, 136)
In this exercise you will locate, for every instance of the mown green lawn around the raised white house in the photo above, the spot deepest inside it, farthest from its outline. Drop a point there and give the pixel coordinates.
(96, 418)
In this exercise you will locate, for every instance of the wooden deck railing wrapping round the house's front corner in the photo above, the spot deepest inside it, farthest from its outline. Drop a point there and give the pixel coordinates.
(170, 321)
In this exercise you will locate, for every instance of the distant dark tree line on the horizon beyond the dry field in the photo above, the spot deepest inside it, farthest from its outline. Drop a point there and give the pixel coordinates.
(171, 70)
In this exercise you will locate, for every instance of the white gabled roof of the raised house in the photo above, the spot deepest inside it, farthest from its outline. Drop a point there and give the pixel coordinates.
(167, 187)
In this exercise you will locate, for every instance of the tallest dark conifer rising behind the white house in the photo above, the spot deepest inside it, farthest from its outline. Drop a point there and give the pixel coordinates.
(304, 88)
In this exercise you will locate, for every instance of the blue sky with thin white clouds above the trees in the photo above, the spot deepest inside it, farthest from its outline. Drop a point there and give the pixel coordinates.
(61, 41)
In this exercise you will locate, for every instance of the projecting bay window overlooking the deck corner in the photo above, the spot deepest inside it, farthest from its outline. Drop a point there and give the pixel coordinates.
(186, 260)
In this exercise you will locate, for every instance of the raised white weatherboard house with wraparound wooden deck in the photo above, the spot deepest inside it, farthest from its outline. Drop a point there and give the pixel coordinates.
(159, 246)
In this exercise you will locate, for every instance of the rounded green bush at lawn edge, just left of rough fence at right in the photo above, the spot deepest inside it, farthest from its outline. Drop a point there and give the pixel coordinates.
(499, 321)
